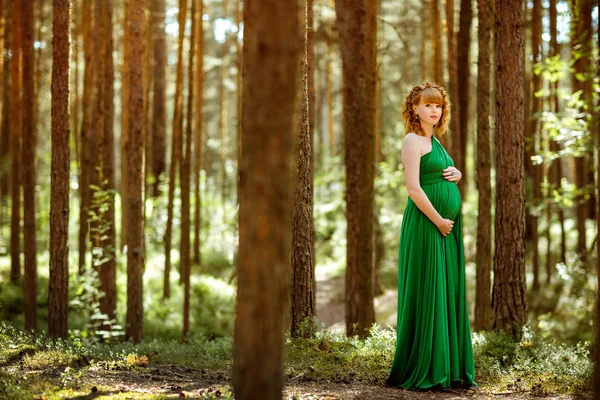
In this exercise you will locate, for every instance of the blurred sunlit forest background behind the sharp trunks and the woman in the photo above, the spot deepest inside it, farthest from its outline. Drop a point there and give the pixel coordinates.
(413, 42)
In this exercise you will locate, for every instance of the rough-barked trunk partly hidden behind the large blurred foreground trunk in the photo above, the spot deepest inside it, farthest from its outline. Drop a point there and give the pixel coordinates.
(302, 291)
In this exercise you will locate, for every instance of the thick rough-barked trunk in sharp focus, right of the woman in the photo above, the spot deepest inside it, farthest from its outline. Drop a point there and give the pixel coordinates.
(508, 296)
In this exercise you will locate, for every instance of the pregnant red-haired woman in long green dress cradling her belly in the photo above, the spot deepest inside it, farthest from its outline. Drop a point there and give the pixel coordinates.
(433, 348)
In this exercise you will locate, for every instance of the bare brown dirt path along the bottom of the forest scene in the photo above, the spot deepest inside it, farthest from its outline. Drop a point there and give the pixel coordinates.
(173, 381)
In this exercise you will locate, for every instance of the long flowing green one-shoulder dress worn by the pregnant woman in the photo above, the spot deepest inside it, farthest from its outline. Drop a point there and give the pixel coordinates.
(433, 348)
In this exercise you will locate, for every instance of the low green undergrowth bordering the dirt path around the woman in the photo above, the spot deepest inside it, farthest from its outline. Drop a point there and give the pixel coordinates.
(533, 364)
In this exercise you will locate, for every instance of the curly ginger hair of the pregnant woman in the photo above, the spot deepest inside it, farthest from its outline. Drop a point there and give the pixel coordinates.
(429, 93)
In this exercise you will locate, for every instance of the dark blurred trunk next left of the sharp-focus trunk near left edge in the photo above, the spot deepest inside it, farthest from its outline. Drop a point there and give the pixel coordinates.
(29, 138)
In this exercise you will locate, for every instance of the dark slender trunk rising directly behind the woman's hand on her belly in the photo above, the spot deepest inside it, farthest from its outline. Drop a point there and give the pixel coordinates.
(464, 84)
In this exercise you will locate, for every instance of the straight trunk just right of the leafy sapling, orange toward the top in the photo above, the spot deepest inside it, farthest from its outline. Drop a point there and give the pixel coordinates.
(135, 154)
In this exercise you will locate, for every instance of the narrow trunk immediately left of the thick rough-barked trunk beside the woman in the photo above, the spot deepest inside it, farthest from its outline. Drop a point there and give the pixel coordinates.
(483, 309)
